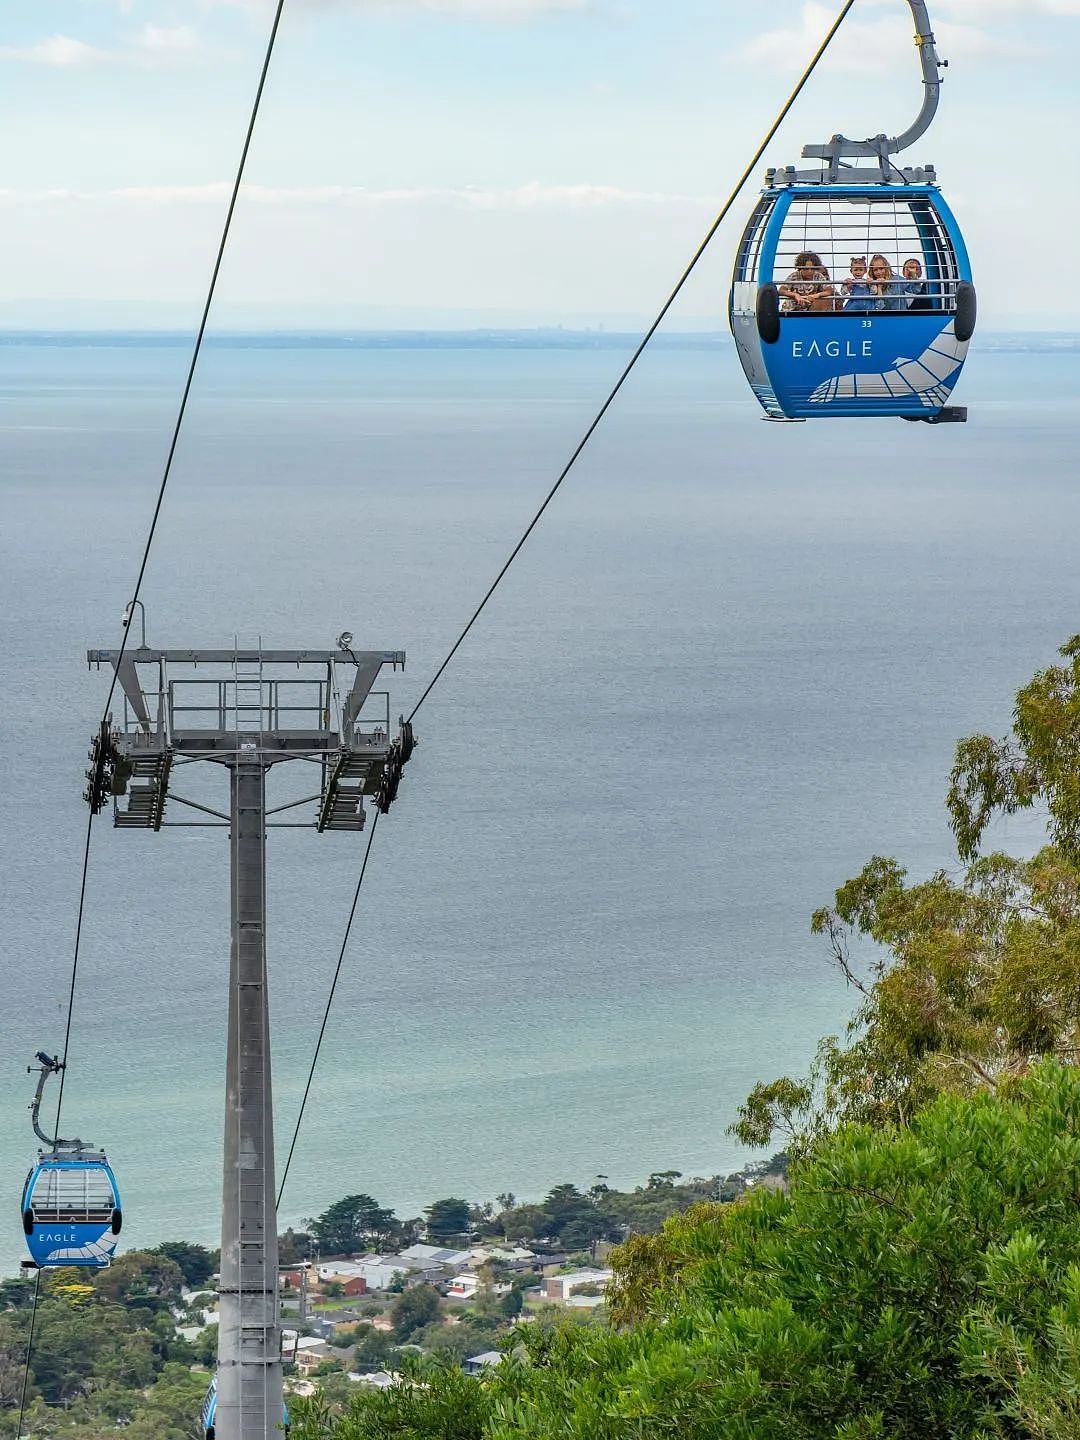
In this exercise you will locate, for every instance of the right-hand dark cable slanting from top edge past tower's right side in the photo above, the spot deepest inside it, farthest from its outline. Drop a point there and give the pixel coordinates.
(650, 333)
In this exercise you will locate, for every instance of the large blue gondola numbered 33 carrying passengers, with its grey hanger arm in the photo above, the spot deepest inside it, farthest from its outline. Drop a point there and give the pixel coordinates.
(891, 336)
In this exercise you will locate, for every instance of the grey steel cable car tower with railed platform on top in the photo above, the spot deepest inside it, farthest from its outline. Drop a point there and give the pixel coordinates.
(250, 711)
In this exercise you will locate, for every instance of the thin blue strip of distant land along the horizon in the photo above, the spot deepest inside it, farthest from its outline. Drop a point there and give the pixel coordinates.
(485, 339)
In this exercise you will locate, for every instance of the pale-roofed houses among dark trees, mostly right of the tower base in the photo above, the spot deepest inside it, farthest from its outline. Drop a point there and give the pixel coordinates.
(354, 1315)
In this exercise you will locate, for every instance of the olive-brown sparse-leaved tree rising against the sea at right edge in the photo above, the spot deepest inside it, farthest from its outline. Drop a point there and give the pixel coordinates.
(971, 978)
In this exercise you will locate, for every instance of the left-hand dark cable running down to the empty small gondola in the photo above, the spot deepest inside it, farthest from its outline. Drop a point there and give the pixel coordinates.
(152, 532)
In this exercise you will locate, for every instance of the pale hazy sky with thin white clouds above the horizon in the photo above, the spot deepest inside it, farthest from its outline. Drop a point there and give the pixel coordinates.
(490, 161)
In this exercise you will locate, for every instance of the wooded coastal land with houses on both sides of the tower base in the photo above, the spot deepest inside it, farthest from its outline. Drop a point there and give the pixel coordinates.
(368, 1301)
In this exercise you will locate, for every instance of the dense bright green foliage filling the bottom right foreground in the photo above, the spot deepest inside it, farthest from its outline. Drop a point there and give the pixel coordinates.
(921, 1282)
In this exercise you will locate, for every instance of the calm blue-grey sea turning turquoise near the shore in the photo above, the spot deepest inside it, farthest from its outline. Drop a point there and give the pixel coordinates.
(729, 667)
